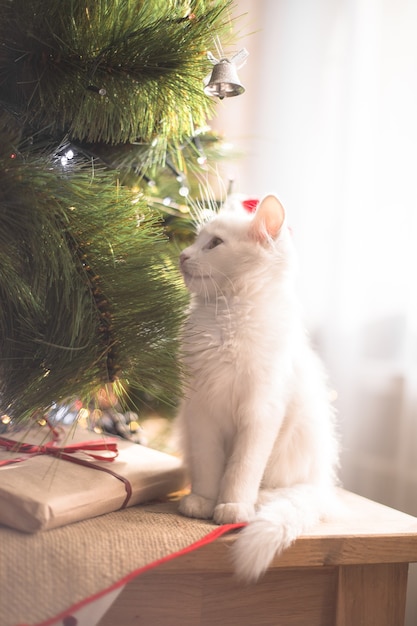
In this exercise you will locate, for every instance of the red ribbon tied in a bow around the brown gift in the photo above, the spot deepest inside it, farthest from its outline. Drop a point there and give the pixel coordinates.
(64, 452)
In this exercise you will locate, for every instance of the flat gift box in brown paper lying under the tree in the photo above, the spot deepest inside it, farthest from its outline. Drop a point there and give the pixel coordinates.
(43, 491)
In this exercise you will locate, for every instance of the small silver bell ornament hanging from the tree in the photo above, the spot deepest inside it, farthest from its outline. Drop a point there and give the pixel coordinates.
(224, 81)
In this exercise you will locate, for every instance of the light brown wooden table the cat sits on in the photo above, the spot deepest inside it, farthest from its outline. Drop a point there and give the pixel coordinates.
(346, 573)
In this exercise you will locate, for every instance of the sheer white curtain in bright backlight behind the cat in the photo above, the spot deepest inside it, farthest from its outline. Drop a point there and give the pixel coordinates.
(329, 122)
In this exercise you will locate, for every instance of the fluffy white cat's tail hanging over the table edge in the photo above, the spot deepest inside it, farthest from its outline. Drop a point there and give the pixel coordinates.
(283, 515)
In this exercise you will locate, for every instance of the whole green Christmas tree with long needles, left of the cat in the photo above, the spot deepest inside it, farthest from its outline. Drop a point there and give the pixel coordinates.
(102, 146)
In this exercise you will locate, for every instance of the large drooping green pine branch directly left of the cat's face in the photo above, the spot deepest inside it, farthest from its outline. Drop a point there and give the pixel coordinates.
(88, 290)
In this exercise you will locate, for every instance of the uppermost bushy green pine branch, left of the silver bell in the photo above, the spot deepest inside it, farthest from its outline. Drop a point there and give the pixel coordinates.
(109, 70)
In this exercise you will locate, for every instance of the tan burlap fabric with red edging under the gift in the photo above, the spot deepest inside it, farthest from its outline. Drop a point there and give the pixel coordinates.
(45, 574)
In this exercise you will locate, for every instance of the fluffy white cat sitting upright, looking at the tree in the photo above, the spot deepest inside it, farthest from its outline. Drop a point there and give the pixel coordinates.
(256, 420)
